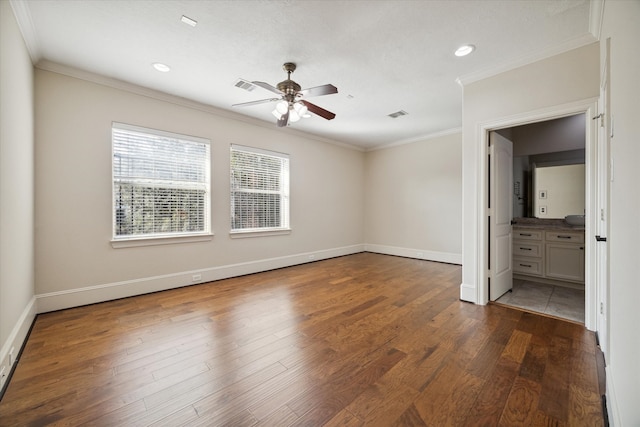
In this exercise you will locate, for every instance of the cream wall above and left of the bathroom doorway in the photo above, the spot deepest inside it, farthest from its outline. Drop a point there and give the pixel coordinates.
(556, 81)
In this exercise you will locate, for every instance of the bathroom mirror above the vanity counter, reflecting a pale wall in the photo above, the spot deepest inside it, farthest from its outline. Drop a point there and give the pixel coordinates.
(558, 191)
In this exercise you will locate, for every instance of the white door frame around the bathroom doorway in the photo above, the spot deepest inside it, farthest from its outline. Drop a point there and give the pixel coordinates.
(588, 107)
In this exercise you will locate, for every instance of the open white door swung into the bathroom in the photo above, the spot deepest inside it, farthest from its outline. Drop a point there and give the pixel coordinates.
(500, 215)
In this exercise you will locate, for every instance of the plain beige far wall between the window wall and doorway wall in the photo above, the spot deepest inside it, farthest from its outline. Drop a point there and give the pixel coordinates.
(413, 204)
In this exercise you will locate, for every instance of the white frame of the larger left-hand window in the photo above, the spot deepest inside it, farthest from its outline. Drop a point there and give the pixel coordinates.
(201, 183)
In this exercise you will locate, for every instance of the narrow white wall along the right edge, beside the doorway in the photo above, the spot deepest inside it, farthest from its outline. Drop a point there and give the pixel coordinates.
(621, 24)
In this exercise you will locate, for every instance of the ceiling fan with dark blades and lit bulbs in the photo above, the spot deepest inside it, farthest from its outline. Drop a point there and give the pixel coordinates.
(291, 107)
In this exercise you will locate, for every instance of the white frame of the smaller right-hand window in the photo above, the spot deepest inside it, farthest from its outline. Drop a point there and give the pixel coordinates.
(283, 191)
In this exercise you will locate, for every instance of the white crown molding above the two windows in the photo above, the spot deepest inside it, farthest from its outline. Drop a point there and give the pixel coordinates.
(182, 102)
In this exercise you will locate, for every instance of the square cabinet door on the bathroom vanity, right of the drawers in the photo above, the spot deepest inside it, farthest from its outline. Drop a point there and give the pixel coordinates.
(564, 261)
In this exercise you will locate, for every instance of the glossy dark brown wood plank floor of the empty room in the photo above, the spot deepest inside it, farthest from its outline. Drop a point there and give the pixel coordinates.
(364, 339)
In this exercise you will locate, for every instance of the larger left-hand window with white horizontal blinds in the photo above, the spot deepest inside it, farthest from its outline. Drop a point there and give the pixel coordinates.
(160, 184)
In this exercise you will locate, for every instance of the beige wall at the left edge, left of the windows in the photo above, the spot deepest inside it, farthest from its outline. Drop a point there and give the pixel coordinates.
(17, 308)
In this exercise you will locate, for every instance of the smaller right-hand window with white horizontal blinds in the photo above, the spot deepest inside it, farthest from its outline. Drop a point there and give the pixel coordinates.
(259, 190)
